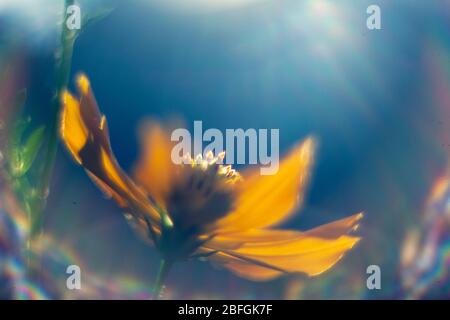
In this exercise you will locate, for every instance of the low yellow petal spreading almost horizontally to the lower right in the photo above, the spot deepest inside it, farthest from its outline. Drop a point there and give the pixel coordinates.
(264, 254)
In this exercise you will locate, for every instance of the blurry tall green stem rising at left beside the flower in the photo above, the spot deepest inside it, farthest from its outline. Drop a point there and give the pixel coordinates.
(63, 66)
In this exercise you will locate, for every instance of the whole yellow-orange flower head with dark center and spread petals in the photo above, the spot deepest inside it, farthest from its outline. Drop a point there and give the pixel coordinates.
(203, 209)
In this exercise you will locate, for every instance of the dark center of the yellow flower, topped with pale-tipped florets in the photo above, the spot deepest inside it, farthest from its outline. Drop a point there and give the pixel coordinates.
(201, 194)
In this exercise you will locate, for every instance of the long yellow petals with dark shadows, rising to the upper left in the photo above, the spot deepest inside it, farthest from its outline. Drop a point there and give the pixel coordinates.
(84, 131)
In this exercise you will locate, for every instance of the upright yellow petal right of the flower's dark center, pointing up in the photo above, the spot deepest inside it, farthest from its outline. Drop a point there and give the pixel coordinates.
(264, 201)
